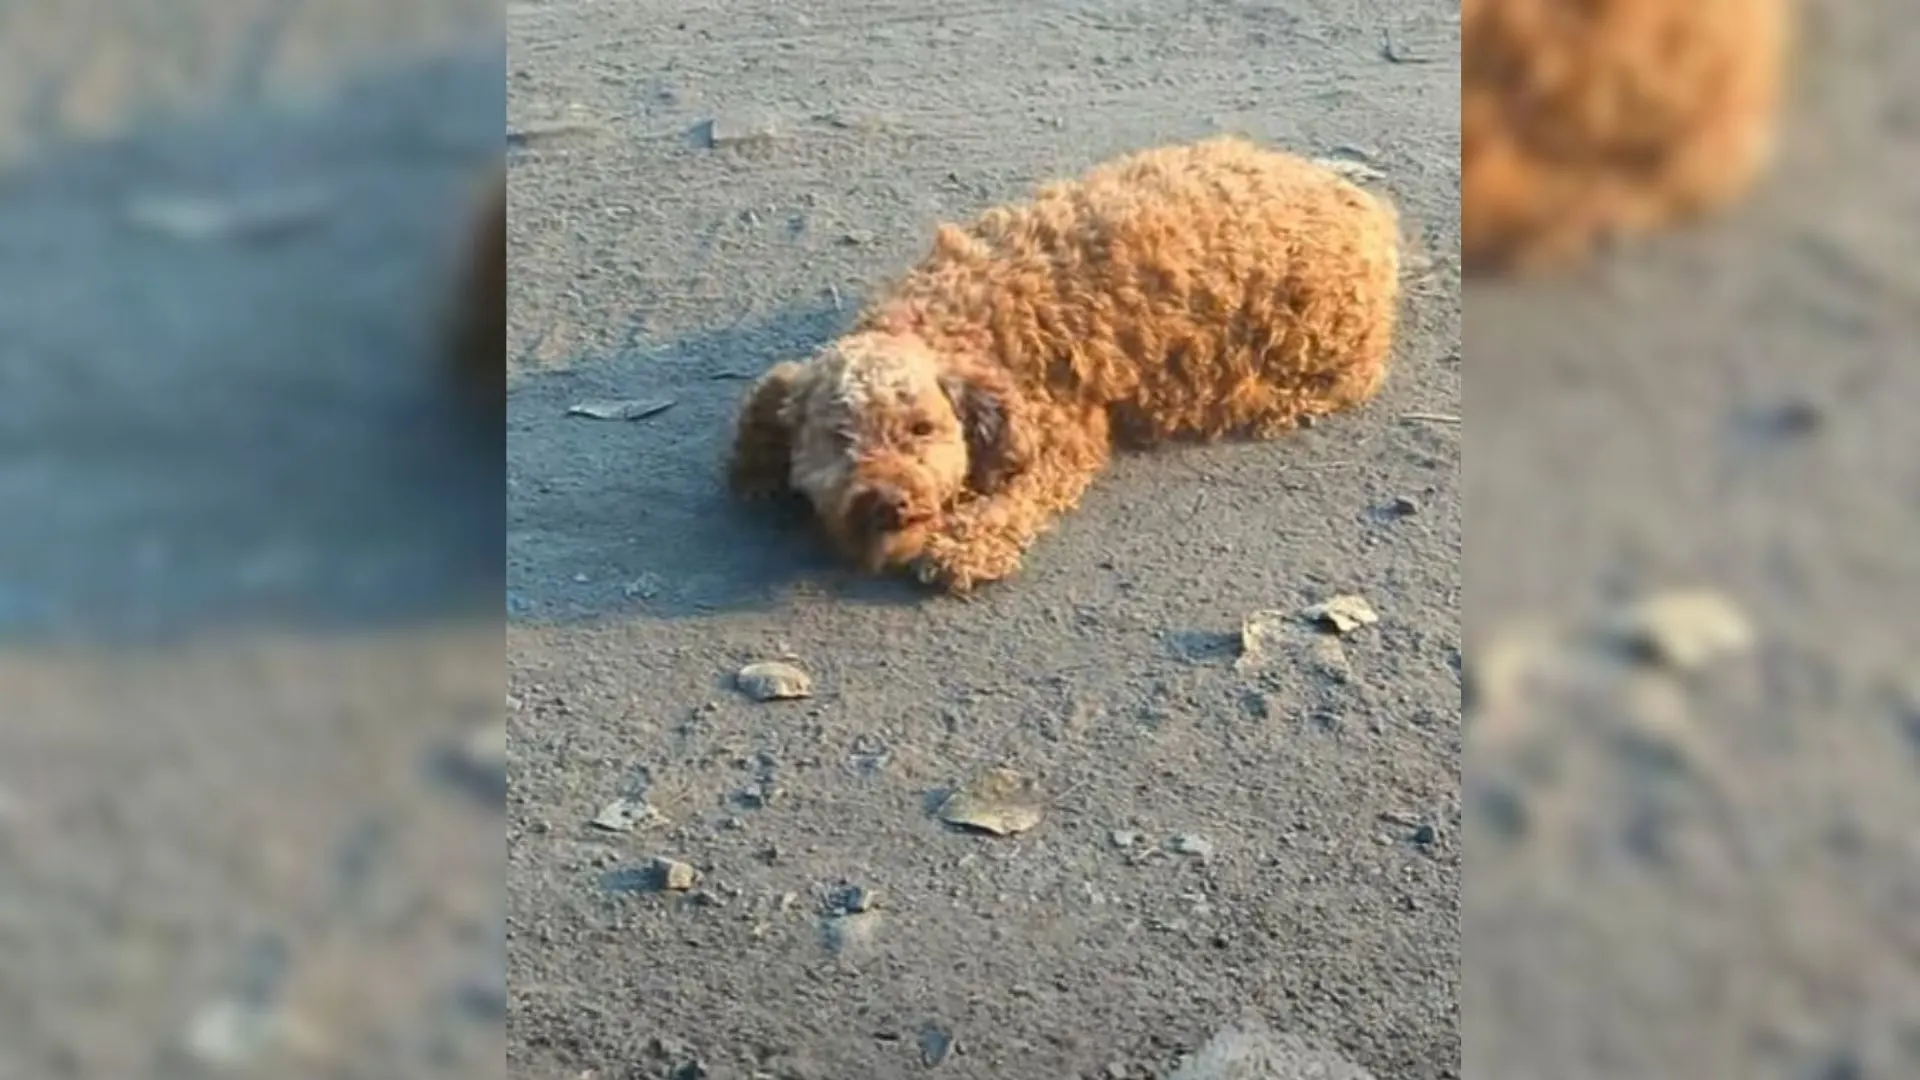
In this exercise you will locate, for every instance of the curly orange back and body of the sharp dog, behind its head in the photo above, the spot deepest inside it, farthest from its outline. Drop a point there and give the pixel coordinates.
(1197, 291)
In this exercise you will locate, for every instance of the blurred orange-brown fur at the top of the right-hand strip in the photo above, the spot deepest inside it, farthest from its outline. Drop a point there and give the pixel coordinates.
(1589, 120)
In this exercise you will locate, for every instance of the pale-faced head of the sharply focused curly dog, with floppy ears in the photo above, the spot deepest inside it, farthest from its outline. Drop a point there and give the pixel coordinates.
(882, 435)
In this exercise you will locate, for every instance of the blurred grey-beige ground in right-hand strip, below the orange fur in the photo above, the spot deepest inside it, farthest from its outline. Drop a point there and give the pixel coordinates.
(1692, 564)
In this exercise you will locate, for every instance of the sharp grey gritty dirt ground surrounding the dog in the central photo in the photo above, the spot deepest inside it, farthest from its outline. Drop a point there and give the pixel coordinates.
(661, 258)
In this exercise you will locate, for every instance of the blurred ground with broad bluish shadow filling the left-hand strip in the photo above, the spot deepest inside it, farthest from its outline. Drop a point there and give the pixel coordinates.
(251, 543)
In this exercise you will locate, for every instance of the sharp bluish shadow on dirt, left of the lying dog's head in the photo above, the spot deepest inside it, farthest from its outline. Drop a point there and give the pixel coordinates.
(633, 518)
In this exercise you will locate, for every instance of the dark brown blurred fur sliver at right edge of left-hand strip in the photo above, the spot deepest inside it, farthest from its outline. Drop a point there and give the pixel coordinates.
(477, 339)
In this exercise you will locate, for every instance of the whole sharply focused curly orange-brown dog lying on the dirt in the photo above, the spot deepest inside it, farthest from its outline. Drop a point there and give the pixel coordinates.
(1184, 293)
